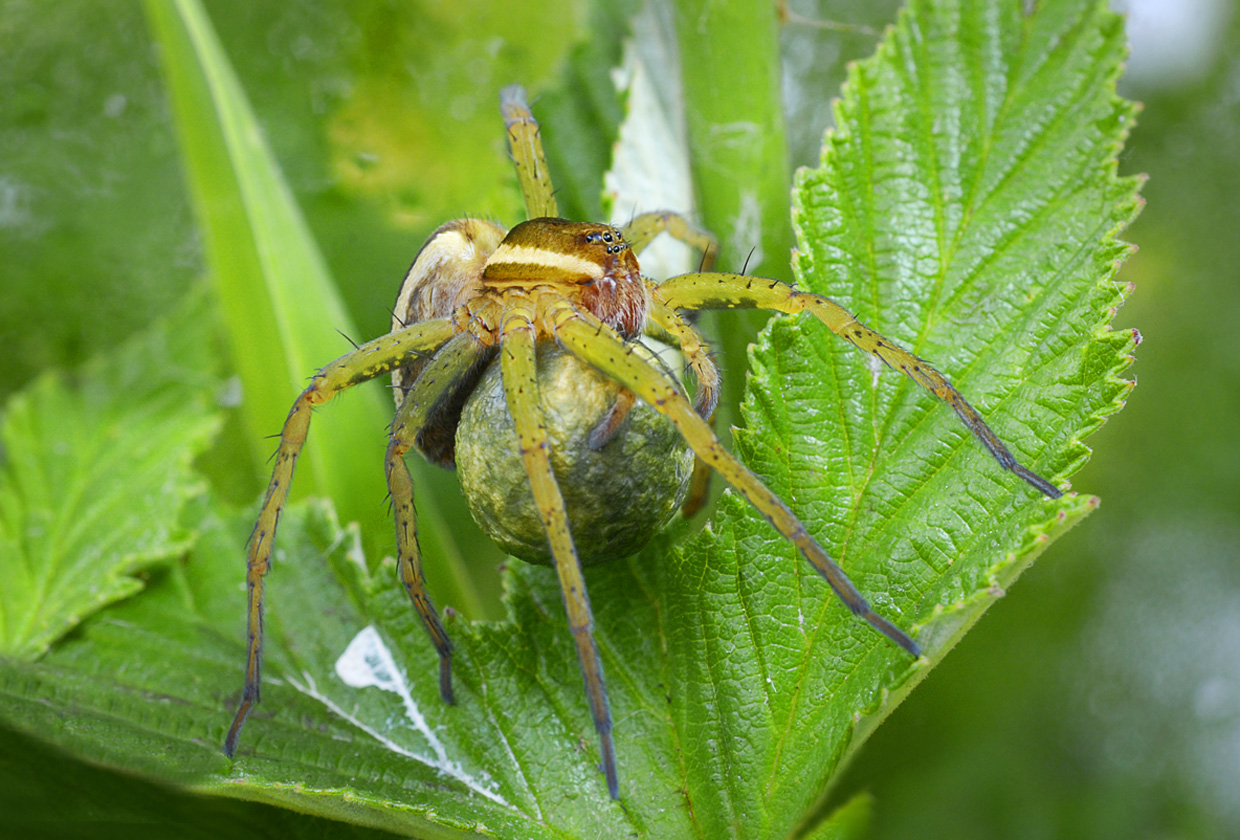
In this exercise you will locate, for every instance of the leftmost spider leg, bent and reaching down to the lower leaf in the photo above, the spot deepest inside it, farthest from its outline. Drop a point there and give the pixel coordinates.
(373, 359)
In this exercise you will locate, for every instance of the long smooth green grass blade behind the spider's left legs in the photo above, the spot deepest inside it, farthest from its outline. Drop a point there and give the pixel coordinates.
(282, 310)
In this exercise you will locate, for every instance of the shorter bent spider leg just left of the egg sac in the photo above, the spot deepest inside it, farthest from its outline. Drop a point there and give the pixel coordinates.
(435, 383)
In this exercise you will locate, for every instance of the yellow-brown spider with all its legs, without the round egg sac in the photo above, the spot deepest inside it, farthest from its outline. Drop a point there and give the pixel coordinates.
(478, 293)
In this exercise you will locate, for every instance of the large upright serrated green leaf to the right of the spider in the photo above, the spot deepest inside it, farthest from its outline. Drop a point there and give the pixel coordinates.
(967, 208)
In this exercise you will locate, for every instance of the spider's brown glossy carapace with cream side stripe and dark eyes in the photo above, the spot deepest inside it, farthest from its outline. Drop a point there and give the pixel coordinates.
(591, 265)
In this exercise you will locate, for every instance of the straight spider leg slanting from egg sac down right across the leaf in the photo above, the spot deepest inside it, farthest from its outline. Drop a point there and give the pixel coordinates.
(600, 346)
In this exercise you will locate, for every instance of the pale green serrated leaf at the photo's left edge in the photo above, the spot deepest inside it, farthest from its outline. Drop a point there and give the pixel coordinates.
(94, 477)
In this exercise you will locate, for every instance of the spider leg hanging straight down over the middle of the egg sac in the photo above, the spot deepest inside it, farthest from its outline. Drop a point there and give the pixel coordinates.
(521, 389)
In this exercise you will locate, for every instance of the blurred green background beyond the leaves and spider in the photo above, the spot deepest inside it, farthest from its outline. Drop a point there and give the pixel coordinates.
(1102, 698)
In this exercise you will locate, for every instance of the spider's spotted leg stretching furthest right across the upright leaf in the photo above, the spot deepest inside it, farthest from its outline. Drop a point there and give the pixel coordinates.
(701, 291)
